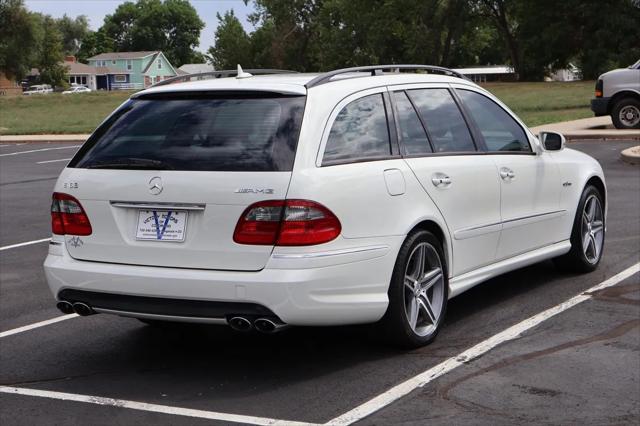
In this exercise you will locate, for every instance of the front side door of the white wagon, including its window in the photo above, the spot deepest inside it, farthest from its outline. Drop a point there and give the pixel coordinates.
(529, 181)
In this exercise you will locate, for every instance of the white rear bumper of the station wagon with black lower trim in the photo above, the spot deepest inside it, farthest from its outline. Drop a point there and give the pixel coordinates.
(333, 288)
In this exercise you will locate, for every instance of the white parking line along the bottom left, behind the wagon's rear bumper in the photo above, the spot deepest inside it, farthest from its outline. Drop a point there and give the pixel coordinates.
(155, 408)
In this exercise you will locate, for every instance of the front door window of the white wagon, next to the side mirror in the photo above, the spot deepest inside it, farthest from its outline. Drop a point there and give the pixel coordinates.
(499, 130)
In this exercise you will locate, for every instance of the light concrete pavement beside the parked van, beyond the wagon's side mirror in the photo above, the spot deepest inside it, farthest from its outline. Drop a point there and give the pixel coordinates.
(589, 128)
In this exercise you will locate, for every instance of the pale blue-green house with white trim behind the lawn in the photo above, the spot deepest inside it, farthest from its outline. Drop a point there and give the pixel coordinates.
(130, 70)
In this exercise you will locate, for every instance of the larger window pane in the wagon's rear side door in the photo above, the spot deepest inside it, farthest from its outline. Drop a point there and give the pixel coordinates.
(444, 121)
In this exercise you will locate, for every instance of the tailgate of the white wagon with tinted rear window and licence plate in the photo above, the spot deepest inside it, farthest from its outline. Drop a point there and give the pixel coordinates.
(165, 179)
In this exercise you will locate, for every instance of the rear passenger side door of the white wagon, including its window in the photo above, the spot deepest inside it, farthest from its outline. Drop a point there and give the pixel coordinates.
(462, 182)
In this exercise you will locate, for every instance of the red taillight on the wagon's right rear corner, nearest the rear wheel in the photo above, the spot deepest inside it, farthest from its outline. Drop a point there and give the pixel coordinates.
(286, 223)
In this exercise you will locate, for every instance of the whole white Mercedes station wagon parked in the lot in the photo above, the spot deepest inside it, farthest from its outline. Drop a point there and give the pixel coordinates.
(362, 195)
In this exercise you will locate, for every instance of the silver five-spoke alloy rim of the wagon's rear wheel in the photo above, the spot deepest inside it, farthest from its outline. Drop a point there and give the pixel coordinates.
(424, 289)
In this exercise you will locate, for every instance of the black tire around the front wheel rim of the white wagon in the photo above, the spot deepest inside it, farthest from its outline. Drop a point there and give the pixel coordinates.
(576, 260)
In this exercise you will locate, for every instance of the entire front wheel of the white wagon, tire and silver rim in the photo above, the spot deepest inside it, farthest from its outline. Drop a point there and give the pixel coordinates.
(587, 235)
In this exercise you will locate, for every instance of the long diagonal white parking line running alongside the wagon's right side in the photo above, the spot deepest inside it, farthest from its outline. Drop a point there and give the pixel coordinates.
(511, 333)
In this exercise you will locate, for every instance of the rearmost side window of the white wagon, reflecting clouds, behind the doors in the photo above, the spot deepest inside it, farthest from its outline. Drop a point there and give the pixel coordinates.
(359, 131)
